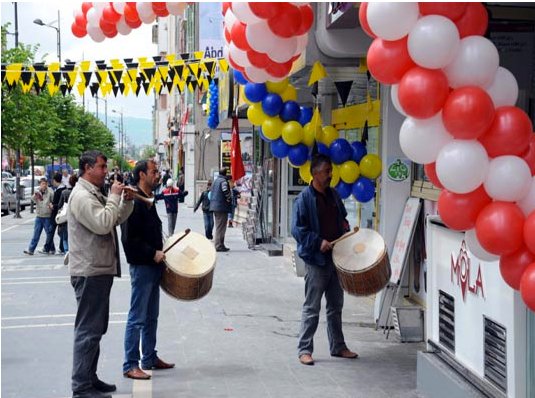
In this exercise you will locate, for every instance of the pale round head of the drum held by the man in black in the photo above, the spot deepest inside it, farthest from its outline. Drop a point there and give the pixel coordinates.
(193, 256)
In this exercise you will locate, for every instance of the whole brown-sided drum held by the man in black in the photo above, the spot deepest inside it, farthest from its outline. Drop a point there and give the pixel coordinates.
(189, 266)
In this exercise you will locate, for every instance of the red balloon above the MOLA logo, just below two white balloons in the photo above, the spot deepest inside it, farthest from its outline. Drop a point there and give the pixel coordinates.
(460, 211)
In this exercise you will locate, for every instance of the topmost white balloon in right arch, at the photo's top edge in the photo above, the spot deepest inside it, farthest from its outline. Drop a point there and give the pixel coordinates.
(392, 21)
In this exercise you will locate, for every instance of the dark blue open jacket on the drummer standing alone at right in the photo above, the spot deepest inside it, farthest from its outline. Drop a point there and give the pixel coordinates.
(306, 225)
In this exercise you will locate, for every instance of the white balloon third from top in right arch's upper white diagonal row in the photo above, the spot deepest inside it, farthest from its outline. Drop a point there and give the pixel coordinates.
(475, 64)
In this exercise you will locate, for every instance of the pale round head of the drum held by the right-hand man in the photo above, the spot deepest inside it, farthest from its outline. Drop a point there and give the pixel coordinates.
(359, 251)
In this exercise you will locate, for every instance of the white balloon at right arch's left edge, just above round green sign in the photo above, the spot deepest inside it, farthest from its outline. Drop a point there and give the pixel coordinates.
(422, 139)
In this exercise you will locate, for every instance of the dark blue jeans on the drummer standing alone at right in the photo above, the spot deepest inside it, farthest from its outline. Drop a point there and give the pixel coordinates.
(321, 280)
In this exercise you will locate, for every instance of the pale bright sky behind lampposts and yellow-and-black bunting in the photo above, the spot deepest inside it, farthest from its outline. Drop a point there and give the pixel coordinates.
(136, 44)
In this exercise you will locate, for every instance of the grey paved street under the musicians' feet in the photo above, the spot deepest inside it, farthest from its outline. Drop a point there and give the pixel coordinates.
(238, 341)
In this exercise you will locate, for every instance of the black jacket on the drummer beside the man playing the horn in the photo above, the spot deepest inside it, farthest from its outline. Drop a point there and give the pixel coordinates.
(142, 234)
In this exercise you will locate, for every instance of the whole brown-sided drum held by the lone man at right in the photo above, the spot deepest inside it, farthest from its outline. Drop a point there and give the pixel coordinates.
(362, 263)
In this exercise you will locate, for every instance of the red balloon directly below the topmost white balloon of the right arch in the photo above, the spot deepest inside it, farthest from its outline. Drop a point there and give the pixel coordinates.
(389, 60)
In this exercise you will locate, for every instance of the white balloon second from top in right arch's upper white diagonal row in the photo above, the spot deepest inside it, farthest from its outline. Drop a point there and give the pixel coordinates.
(433, 42)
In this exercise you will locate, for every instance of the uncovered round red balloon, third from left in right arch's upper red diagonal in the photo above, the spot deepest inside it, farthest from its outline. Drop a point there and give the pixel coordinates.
(468, 112)
